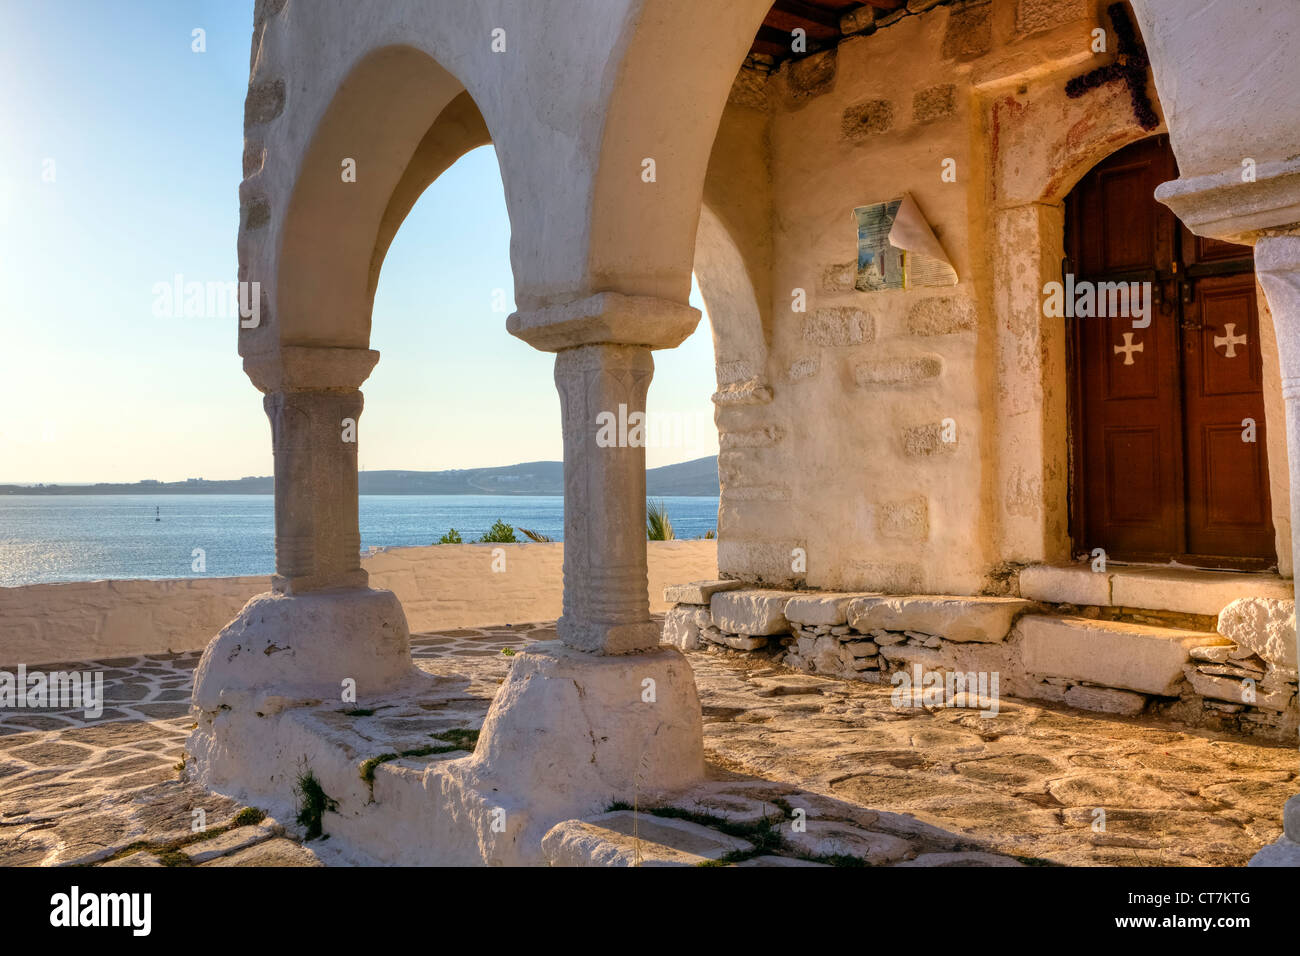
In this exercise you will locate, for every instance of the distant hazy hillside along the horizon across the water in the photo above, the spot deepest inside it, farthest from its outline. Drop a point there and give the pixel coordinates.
(688, 479)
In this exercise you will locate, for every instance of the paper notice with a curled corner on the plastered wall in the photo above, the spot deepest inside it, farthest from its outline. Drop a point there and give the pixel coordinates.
(898, 249)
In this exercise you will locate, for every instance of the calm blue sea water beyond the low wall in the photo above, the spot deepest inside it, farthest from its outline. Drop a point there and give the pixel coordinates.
(85, 538)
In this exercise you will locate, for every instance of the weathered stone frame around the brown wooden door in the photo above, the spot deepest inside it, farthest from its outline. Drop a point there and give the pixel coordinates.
(1041, 144)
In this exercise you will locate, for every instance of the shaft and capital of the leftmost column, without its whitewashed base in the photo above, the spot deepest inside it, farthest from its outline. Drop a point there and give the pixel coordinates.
(314, 403)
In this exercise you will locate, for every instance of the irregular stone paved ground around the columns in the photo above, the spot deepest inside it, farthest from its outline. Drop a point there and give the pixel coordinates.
(1028, 782)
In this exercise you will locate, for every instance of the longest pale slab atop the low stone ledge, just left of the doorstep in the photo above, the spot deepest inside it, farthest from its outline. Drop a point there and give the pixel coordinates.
(985, 620)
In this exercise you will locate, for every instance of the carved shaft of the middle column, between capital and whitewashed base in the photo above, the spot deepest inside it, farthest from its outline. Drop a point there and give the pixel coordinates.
(603, 406)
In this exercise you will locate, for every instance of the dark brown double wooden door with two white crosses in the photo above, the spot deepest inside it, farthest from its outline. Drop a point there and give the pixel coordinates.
(1162, 466)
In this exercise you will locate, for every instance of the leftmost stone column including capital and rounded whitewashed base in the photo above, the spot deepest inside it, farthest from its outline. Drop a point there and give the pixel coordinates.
(320, 634)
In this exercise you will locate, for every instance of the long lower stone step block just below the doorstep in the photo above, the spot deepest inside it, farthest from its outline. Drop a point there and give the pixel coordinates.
(1134, 657)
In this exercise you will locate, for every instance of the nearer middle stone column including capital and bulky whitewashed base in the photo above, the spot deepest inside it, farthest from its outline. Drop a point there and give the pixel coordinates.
(606, 703)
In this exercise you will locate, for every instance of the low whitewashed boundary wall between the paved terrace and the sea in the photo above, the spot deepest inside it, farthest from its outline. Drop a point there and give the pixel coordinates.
(440, 587)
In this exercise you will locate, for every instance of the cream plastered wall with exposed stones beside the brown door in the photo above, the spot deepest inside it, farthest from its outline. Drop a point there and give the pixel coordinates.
(908, 440)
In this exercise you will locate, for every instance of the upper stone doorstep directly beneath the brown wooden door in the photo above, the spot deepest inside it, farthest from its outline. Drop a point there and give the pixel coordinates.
(1186, 591)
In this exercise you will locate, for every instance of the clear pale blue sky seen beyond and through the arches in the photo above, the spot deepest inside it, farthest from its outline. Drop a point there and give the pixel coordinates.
(146, 140)
